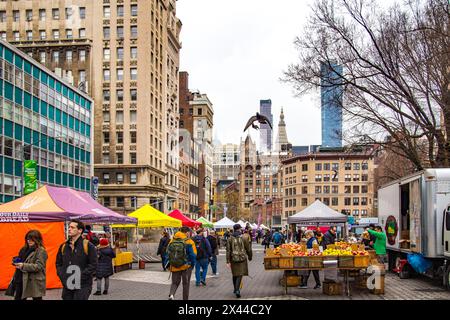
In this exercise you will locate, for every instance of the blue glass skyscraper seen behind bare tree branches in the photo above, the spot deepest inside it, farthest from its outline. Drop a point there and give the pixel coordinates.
(331, 104)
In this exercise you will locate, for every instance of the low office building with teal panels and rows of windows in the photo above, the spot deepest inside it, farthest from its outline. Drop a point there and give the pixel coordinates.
(45, 119)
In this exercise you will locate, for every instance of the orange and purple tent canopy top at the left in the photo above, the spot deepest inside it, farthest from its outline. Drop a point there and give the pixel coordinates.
(48, 204)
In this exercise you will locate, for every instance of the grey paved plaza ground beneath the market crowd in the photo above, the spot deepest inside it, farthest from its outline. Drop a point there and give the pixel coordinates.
(153, 284)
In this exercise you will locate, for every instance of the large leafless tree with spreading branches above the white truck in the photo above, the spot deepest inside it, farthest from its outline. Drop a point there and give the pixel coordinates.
(395, 72)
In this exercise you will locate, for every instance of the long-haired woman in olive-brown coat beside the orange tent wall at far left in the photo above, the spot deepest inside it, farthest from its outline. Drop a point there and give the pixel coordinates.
(29, 278)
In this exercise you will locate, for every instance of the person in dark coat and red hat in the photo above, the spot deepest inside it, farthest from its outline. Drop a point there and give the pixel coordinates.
(104, 265)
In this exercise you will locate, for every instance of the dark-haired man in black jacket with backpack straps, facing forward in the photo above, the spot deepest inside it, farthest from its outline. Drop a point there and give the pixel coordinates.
(76, 256)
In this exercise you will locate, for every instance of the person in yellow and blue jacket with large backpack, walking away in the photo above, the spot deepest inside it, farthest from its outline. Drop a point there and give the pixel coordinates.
(182, 258)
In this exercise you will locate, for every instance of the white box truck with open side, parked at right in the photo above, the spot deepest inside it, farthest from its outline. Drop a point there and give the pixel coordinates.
(414, 211)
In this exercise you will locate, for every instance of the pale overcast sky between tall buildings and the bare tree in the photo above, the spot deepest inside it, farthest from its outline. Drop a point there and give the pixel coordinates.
(235, 51)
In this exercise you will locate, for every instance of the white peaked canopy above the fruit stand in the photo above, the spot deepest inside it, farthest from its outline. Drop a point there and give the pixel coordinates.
(317, 213)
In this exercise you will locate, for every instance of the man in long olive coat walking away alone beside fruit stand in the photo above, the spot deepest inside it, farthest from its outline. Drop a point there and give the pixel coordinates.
(238, 252)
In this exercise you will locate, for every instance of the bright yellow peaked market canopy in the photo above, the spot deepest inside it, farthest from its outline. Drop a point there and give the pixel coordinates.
(149, 217)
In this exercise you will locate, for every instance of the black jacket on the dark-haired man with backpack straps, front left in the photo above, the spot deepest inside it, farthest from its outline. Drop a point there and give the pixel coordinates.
(87, 263)
